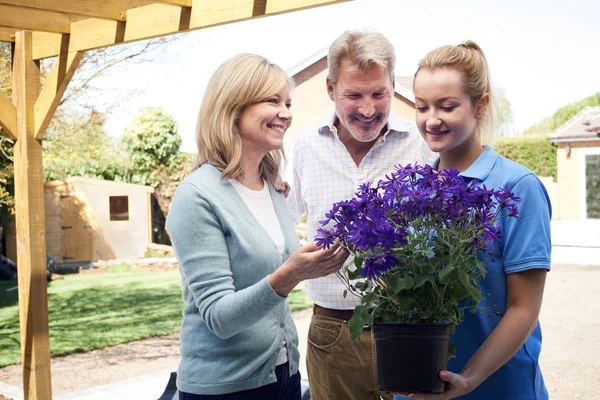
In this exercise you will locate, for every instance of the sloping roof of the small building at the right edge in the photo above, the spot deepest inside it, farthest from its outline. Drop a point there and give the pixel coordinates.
(583, 126)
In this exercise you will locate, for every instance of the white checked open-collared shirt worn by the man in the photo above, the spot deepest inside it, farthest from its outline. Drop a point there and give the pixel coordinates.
(321, 172)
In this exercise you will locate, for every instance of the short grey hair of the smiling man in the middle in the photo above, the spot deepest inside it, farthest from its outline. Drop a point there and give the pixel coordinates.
(363, 50)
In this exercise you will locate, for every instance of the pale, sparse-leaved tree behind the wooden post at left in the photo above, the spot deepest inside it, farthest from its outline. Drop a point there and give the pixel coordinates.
(96, 155)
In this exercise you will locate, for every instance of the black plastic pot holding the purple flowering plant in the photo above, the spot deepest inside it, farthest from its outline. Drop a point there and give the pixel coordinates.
(411, 356)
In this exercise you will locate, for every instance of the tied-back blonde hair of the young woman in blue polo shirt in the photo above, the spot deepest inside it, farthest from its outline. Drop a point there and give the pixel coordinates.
(469, 60)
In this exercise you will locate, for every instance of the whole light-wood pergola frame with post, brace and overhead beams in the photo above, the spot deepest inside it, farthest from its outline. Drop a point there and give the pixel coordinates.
(64, 30)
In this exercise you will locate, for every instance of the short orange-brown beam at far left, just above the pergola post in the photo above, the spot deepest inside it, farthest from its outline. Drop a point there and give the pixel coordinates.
(35, 20)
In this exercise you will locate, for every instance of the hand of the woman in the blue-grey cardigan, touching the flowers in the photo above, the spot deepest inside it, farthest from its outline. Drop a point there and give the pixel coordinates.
(308, 262)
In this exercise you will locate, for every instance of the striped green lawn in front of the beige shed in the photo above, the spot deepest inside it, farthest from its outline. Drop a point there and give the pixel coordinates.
(91, 311)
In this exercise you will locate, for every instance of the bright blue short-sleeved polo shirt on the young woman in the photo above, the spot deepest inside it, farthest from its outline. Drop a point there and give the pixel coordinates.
(524, 244)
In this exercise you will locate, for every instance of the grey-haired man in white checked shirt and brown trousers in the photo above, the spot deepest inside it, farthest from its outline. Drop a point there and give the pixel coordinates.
(359, 141)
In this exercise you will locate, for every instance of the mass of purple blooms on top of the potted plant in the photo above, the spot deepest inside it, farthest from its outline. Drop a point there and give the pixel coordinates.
(420, 212)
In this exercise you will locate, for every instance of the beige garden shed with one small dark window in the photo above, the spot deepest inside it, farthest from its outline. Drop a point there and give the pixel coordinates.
(92, 219)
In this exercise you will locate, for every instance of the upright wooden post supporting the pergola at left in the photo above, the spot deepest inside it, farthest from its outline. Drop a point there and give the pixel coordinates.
(31, 240)
